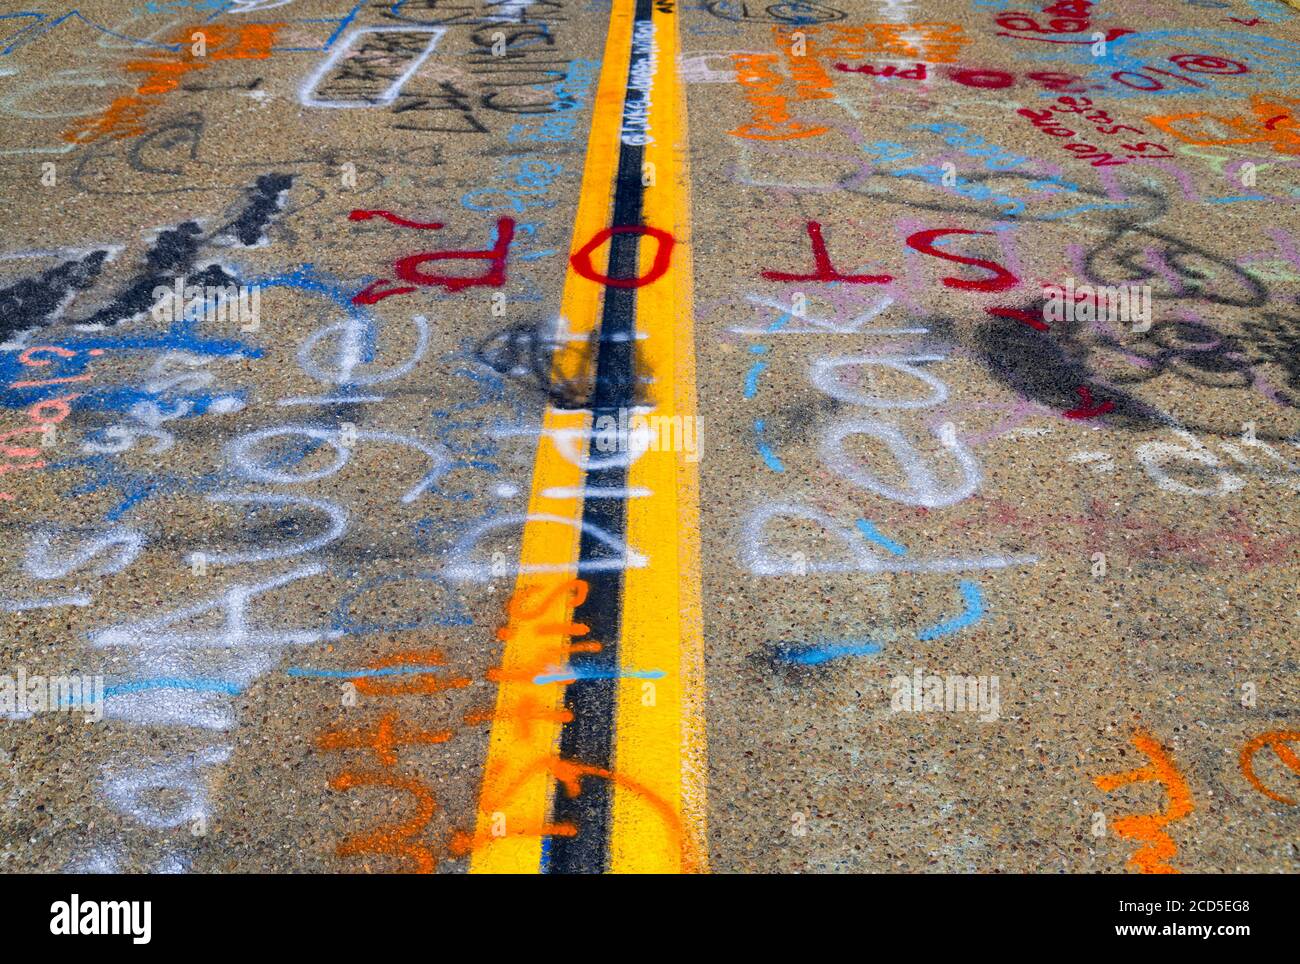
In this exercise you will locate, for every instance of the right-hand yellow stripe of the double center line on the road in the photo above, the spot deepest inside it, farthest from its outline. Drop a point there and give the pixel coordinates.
(660, 735)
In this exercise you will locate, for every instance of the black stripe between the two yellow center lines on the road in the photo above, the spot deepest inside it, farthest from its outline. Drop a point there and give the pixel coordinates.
(592, 698)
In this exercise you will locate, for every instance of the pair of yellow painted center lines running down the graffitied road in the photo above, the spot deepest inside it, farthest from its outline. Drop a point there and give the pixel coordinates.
(658, 770)
